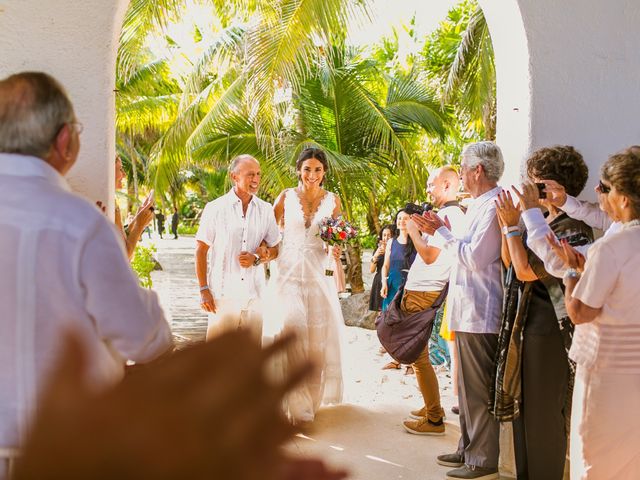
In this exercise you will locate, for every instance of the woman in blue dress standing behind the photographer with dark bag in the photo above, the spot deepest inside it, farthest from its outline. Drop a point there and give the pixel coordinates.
(398, 257)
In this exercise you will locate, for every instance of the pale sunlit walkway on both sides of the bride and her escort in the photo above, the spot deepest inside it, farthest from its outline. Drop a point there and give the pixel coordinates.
(364, 434)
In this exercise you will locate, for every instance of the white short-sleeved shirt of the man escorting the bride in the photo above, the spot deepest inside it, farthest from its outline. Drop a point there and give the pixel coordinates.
(228, 232)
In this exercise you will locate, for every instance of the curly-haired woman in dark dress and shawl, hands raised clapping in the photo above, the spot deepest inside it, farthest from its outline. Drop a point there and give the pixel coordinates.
(534, 377)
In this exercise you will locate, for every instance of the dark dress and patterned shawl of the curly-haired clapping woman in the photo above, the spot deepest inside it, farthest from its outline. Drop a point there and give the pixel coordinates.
(534, 377)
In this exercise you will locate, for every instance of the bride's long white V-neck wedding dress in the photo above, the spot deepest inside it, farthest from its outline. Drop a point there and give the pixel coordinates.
(303, 299)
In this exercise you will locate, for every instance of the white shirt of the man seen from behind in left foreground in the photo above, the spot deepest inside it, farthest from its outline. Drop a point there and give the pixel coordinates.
(63, 267)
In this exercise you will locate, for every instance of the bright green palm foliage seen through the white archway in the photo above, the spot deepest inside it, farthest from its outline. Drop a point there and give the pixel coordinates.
(269, 78)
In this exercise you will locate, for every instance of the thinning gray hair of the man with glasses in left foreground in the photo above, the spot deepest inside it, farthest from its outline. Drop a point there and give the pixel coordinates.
(33, 109)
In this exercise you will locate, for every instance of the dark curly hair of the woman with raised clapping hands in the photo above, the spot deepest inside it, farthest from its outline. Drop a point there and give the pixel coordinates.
(561, 163)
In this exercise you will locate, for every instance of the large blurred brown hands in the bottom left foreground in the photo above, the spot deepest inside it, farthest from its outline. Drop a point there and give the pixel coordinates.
(189, 417)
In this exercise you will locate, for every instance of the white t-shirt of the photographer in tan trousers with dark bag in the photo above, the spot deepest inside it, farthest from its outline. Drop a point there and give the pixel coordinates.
(433, 277)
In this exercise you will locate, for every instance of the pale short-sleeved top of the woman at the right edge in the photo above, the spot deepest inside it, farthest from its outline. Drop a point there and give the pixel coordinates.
(611, 281)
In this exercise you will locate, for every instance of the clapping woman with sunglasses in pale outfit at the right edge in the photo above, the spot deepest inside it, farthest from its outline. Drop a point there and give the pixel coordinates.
(602, 301)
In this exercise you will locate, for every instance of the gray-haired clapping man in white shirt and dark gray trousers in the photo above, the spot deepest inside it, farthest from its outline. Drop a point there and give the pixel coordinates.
(475, 308)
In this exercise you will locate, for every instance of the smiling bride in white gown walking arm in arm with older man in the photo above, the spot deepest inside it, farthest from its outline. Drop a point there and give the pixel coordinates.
(307, 299)
